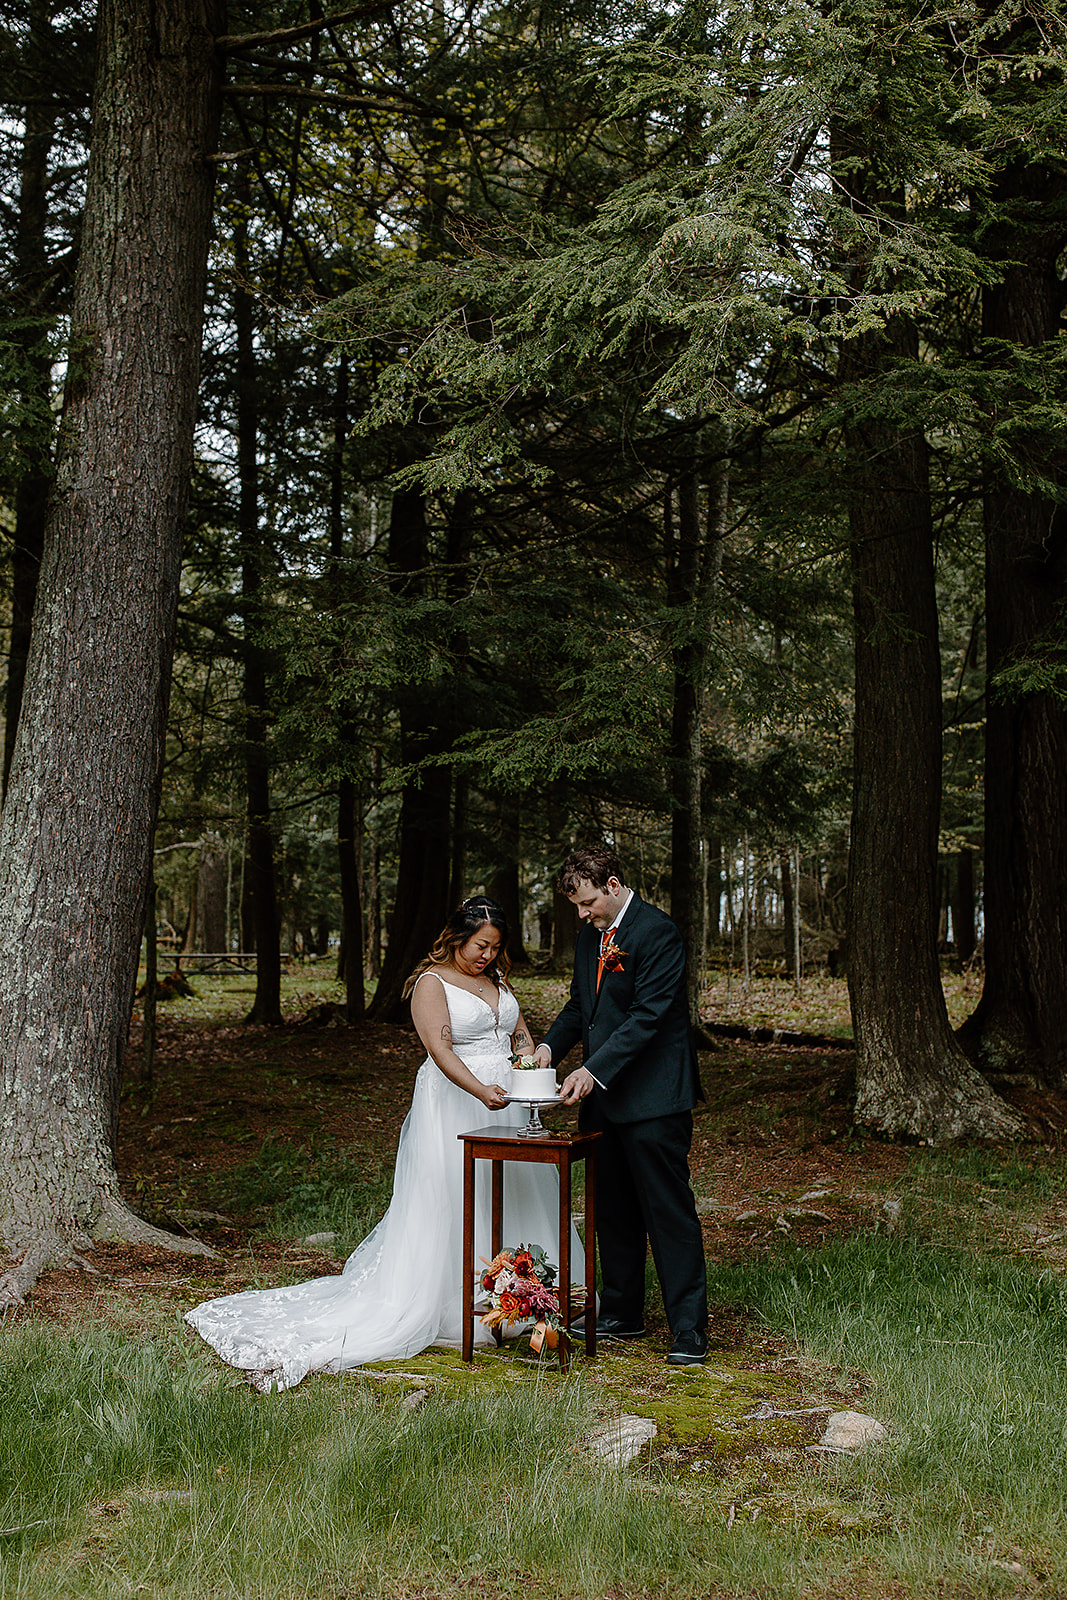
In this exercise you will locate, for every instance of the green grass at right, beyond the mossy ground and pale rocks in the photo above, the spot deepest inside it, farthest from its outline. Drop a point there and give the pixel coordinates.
(967, 1364)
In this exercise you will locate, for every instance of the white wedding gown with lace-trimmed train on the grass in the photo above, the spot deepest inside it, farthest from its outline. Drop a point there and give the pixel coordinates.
(402, 1289)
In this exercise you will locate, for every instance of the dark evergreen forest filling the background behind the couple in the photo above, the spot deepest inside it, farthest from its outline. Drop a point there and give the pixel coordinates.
(613, 422)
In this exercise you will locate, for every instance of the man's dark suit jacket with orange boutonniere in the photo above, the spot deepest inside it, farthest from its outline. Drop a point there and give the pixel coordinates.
(636, 1033)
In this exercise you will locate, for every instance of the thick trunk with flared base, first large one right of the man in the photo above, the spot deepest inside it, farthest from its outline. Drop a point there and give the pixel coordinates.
(911, 1074)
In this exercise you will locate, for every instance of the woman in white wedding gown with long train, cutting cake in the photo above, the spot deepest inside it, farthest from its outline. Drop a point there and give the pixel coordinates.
(402, 1289)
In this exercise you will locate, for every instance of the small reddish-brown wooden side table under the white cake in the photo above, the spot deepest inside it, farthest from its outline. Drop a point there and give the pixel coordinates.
(561, 1151)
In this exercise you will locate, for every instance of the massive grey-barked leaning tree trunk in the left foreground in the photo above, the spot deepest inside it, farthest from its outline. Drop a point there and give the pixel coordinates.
(76, 844)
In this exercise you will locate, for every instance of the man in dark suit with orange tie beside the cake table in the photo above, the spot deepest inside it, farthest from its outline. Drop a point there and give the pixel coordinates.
(637, 1087)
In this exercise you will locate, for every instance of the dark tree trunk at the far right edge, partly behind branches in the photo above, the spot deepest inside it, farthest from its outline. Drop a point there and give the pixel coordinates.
(1020, 1025)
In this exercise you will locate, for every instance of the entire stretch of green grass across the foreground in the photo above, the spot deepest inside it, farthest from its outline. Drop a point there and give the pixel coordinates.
(143, 1466)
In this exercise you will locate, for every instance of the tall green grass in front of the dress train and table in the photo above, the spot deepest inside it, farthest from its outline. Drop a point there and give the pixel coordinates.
(126, 1473)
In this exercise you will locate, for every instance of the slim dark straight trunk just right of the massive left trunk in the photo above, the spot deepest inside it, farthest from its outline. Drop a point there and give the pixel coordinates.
(260, 876)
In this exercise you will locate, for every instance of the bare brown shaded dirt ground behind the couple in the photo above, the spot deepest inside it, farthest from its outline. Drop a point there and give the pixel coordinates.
(773, 1153)
